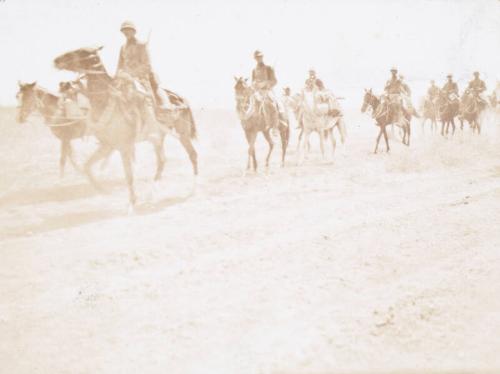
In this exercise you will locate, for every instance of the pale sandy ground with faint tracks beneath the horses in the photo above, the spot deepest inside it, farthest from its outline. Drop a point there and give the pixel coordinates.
(375, 263)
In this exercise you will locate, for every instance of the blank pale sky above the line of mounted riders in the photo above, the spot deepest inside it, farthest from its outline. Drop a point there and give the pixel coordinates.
(197, 46)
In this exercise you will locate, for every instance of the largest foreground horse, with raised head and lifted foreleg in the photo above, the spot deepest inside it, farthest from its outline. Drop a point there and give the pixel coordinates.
(112, 121)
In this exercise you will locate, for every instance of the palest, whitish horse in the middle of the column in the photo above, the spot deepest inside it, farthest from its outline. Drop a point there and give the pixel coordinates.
(316, 115)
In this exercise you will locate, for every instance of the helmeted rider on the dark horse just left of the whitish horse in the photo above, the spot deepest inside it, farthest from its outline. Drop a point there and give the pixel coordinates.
(263, 81)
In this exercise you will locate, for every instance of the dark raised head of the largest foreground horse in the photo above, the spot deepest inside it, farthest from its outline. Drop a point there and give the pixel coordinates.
(80, 60)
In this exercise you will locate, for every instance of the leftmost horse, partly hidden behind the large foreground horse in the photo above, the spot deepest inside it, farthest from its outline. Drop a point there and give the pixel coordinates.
(33, 98)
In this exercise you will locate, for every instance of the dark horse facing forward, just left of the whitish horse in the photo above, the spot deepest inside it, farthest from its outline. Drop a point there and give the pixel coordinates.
(259, 114)
